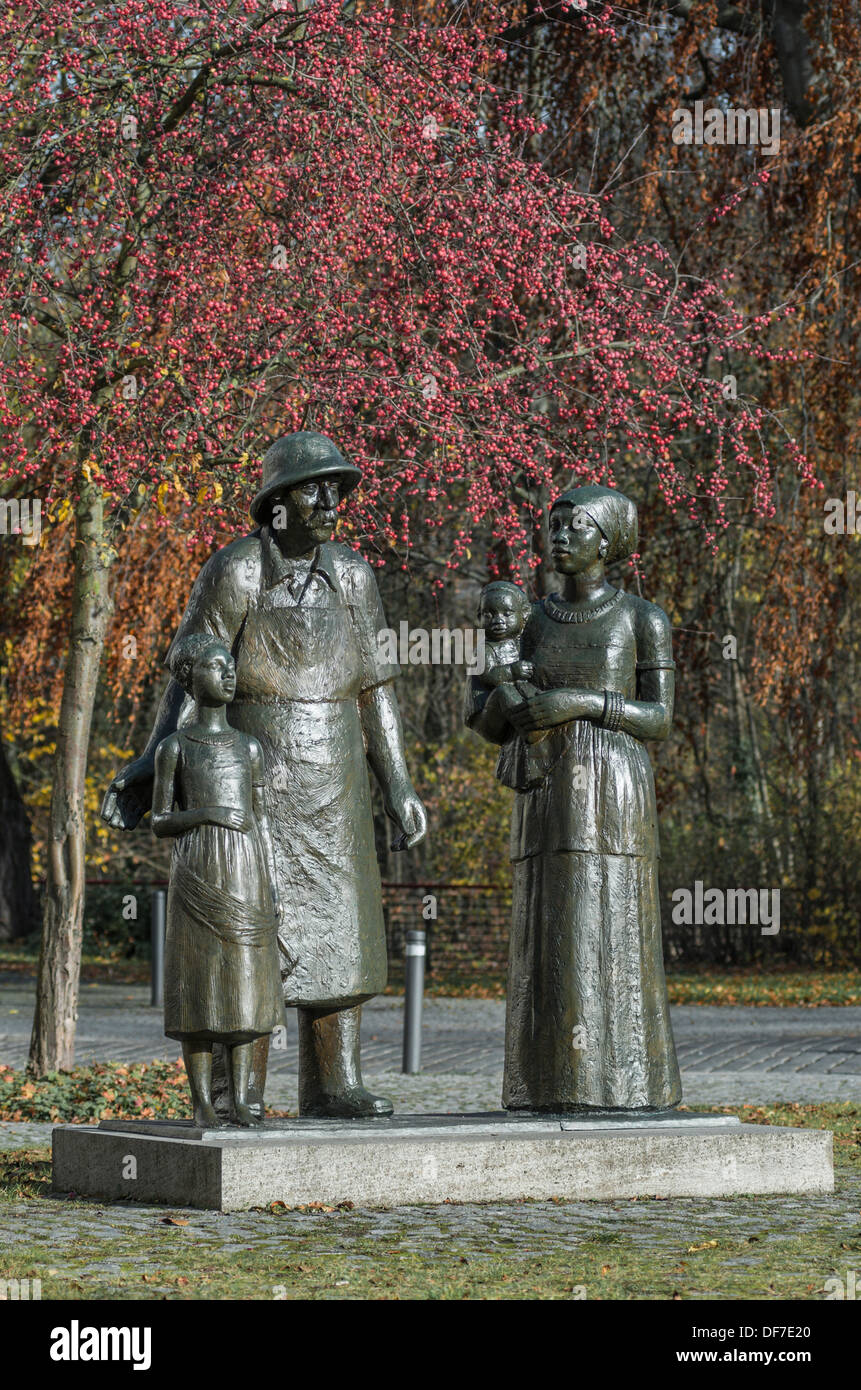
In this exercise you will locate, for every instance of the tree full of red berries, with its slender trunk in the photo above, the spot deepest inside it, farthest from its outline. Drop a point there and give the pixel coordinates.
(227, 222)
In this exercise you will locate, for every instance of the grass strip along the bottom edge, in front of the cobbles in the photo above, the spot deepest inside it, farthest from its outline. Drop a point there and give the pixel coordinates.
(602, 1268)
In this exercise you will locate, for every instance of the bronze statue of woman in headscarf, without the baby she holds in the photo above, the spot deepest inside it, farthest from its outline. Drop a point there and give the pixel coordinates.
(588, 1022)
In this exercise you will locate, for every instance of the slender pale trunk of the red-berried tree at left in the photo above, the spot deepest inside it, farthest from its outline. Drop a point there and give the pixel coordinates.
(54, 1038)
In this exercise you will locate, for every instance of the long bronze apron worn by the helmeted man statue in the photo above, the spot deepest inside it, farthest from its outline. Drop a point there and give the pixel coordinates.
(298, 683)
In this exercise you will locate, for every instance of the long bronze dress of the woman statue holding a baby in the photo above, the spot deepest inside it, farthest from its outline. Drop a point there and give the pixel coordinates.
(588, 1020)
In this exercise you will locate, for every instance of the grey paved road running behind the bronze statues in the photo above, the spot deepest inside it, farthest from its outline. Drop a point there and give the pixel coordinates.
(728, 1056)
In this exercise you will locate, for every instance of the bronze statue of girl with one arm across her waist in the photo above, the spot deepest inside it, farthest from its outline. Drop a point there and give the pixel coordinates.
(222, 967)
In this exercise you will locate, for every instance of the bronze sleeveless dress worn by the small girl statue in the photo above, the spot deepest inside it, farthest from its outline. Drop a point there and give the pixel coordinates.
(222, 968)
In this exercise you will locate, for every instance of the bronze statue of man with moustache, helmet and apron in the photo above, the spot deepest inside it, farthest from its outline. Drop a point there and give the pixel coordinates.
(301, 615)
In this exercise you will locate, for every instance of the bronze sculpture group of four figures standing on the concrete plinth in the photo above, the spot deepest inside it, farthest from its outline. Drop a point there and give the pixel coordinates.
(258, 768)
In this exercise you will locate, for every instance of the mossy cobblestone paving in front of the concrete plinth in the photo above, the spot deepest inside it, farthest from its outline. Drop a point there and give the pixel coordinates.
(513, 1232)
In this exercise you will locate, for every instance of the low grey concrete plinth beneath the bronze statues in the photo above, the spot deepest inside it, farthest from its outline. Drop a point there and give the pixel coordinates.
(436, 1159)
